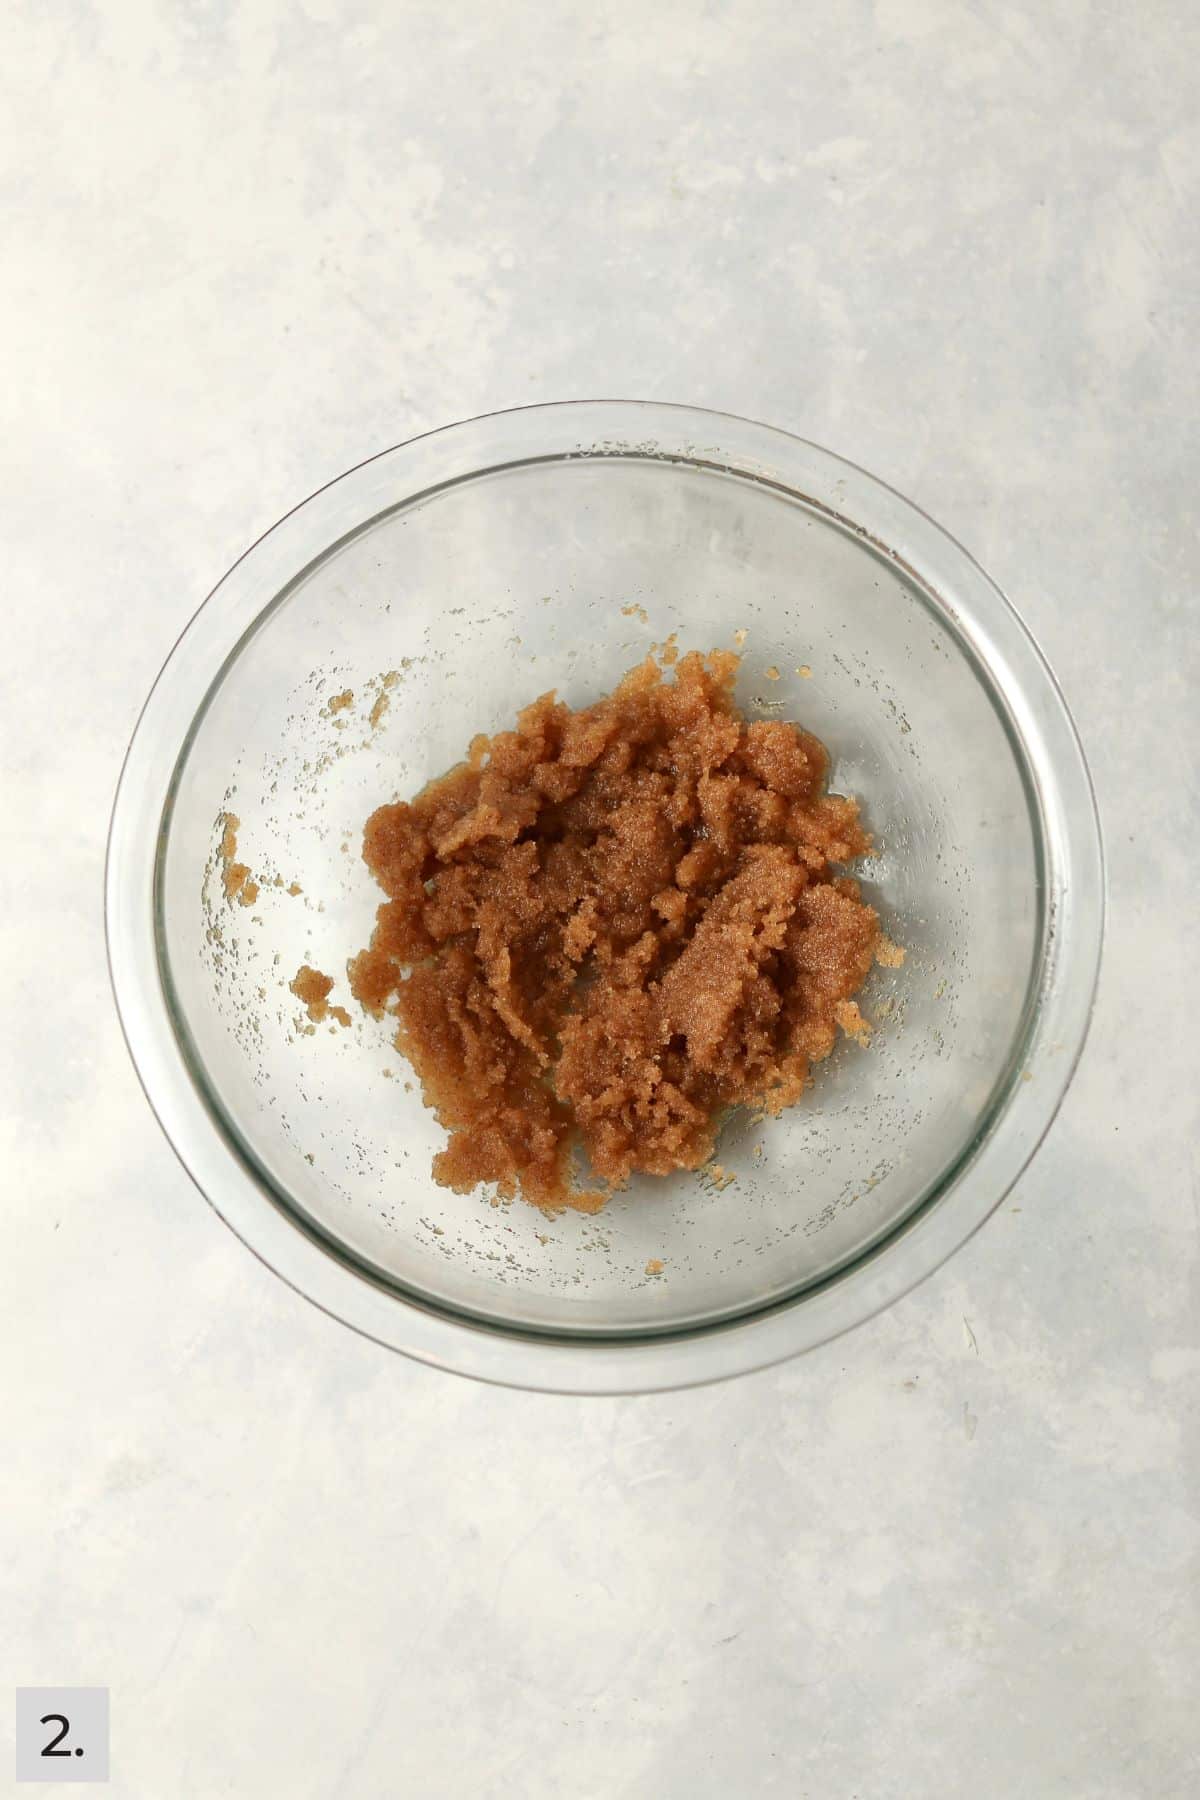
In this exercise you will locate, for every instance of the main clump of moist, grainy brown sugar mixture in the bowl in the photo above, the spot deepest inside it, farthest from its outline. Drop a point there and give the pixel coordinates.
(609, 928)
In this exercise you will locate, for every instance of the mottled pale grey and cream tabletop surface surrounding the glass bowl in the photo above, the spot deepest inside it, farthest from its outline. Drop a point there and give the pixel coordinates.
(249, 246)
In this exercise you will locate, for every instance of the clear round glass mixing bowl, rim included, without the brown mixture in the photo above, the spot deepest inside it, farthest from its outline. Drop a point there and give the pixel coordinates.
(442, 588)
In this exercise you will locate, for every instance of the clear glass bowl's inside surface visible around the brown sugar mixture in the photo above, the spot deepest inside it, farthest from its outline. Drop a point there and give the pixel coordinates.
(443, 616)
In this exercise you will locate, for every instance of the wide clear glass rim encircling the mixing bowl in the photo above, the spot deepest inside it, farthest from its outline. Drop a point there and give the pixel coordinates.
(1062, 807)
